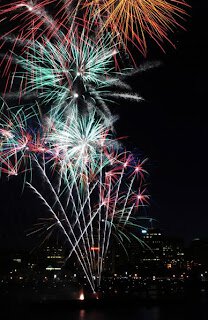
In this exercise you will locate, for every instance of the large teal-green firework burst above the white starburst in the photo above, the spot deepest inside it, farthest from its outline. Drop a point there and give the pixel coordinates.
(55, 70)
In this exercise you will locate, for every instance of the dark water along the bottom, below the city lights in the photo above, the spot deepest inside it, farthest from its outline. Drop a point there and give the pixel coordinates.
(186, 310)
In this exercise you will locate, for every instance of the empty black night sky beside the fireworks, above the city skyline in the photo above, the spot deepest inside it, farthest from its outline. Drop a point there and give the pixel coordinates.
(169, 128)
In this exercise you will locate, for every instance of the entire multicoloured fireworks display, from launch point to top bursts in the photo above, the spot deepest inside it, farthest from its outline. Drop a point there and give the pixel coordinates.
(71, 62)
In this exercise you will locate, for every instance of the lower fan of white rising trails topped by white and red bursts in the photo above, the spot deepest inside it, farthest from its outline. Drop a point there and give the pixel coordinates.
(94, 194)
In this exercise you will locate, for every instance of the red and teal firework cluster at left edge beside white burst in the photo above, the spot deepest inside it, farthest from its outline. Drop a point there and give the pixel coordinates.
(18, 140)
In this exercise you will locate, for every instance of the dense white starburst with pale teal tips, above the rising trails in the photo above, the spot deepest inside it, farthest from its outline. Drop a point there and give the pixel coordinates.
(79, 139)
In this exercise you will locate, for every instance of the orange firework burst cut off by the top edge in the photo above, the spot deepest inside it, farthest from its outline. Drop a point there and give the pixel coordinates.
(132, 20)
